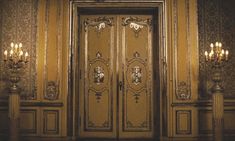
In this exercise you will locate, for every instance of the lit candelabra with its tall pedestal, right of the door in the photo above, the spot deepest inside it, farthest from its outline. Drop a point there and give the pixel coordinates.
(217, 56)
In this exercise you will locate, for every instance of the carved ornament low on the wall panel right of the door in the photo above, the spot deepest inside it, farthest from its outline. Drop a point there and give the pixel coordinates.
(182, 91)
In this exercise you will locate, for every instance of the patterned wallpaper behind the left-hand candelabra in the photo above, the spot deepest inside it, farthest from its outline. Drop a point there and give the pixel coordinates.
(18, 23)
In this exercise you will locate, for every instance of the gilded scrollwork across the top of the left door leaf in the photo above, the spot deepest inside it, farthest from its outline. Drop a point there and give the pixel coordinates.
(98, 23)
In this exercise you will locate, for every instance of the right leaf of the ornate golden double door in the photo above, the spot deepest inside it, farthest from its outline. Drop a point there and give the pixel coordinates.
(136, 98)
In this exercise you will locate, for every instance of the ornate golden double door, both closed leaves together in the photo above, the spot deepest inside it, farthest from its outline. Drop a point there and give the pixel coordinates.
(116, 85)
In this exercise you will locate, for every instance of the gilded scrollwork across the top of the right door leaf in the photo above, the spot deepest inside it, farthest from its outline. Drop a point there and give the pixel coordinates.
(136, 24)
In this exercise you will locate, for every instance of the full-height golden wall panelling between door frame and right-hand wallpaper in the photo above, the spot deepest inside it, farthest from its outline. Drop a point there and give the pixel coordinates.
(182, 68)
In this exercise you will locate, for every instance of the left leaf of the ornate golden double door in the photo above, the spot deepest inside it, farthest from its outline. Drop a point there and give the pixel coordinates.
(97, 41)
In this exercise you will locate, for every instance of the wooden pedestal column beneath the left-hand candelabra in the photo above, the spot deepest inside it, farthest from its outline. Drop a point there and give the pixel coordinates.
(14, 111)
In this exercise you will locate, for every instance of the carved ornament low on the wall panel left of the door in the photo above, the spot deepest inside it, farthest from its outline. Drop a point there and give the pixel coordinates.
(51, 91)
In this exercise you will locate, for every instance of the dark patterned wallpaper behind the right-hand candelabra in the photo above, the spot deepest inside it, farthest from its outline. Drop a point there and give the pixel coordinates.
(216, 19)
